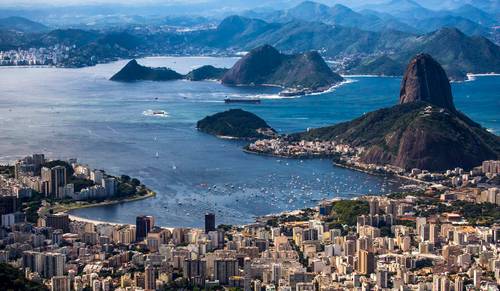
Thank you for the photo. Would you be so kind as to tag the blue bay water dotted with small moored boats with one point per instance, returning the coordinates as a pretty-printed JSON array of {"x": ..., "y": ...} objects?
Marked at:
[{"x": 79, "y": 113}]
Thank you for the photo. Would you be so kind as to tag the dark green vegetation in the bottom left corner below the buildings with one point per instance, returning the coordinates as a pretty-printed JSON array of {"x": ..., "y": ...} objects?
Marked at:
[{"x": 12, "y": 279}]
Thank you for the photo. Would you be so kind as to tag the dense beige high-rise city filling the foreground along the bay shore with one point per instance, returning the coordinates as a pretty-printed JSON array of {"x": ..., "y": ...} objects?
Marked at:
[{"x": 442, "y": 237}]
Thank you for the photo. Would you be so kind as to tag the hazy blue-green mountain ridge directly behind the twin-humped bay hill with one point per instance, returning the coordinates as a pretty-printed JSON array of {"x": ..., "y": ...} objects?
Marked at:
[{"x": 381, "y": 53}]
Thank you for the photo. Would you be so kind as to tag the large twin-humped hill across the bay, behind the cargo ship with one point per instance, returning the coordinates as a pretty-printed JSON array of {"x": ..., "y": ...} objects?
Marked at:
[{"x": 267, "y": 66}]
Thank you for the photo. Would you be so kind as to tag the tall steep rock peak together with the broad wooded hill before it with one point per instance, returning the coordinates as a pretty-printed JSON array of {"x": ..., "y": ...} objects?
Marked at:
[{"x": 424, "y": 131}]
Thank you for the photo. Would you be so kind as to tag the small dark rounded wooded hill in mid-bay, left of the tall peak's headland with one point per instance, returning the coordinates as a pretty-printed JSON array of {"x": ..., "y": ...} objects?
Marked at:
[{"x": 235, "y": 123}]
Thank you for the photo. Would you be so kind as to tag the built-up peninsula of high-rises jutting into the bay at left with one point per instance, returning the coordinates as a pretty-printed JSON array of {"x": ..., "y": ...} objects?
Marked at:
[{"x": 52, "y": 186}]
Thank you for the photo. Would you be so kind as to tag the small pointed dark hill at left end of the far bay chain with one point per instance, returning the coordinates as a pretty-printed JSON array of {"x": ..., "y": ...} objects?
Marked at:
[{"x": 135, "y": 72}]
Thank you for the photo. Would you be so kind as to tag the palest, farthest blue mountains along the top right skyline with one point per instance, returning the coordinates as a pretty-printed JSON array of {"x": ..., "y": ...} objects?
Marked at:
[{"x": 402, "y": 15}]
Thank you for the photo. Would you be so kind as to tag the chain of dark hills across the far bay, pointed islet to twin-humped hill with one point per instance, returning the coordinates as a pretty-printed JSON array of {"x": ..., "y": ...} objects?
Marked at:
[{"x": 298, "y": 74}]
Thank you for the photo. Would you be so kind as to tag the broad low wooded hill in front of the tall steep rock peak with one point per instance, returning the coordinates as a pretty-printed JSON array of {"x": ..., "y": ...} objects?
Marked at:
[{"x": 405, "y": 136}]
